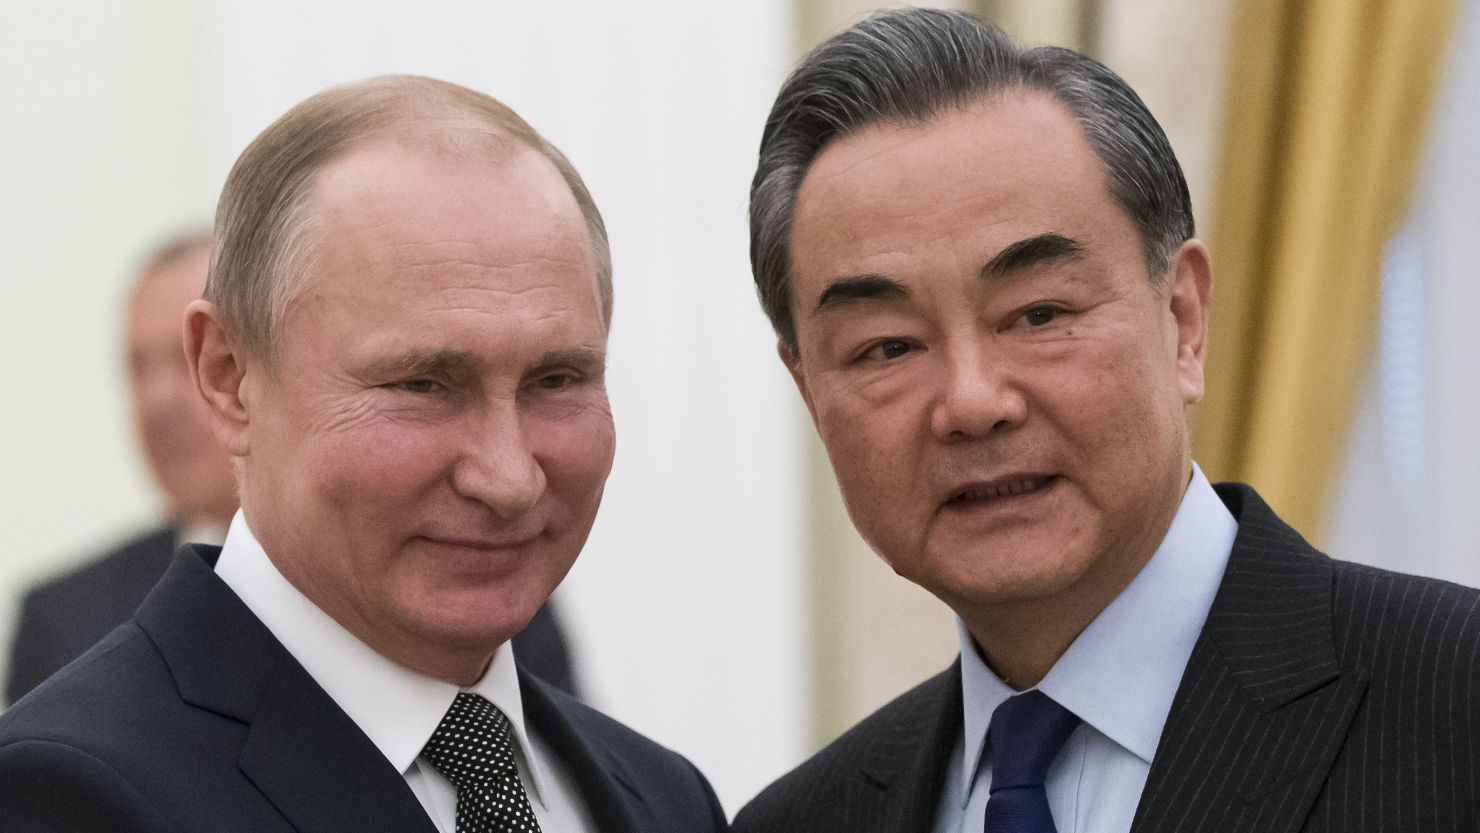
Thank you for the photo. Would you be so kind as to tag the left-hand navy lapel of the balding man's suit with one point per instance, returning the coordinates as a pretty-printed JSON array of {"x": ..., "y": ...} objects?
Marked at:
[{"x": 301, "y": 751}]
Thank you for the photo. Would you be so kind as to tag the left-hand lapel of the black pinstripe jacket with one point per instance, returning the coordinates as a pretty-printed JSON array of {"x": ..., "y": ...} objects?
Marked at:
[{"x": 902, "y": 775}]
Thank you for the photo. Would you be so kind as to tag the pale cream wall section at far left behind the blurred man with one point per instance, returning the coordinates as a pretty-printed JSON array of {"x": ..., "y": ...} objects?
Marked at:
[{"x": 103, "y": 153}]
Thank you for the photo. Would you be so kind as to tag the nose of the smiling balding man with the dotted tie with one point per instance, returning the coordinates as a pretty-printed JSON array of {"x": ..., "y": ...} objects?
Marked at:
[{"x": 498, "y": 467}]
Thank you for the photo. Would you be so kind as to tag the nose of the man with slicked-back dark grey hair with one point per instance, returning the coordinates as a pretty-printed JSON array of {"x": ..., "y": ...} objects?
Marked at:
[{"x": 980, "y": 396}]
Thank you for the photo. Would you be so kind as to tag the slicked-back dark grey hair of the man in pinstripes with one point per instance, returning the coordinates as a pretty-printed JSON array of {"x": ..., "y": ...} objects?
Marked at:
[{"x": 906, "y": 67}]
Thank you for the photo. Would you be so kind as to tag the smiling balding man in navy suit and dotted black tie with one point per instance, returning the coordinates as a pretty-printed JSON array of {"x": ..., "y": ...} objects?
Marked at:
[{"x": 402, "y": 347}]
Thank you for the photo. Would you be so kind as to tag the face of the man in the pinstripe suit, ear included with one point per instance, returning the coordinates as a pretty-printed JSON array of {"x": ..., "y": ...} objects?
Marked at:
[{"x": 1000, "y": 387}]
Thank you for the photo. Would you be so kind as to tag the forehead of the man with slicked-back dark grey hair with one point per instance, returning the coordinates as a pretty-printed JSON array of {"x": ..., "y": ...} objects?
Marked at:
[{"x": 1000, "y": 169}]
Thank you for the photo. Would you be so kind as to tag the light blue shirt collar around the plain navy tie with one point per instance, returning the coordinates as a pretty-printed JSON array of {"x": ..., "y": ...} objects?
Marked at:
[{"x": 1121, "y": 675}]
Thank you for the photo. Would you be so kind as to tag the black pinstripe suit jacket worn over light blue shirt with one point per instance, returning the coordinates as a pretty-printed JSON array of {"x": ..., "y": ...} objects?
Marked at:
[{"x": 1321, "y": 696}]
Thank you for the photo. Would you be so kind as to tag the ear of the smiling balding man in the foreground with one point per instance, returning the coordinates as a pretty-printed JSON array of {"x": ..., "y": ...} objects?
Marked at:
[{"x": 220, "y": 369}]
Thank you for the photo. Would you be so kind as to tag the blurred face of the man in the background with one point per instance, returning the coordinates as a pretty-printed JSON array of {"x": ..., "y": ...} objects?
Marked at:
[{"x": 169, "y": 416}]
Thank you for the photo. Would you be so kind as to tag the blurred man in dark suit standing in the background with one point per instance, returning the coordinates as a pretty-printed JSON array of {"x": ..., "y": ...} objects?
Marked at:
[{"x": 64, "y": 616}]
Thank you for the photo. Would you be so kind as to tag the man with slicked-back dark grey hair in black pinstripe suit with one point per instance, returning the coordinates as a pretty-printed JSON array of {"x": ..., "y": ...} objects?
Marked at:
[{"x": 982, "y": 270}]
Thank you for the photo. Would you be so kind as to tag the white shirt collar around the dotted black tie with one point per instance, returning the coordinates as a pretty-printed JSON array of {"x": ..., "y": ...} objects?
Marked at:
[{"x": 394, "y": 706}]
